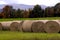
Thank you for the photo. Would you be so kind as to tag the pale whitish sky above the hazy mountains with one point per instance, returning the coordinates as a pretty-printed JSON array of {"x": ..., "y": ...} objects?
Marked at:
[{"x": 31, "y": 2}]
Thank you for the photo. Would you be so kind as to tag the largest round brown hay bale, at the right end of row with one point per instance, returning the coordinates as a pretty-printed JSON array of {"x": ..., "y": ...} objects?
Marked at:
[{"x": 52, "y": 26}]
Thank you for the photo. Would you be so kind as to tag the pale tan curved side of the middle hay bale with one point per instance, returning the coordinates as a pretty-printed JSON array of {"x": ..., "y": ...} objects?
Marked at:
[{"x": 26, "y": 26}]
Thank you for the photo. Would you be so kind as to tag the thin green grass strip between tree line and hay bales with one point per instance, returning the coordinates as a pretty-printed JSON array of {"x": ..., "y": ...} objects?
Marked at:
[{"x": 47, "y": 18}]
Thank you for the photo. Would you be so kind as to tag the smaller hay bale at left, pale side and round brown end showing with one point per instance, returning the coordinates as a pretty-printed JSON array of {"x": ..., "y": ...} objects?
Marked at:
[{"x": 12, "y": 25}]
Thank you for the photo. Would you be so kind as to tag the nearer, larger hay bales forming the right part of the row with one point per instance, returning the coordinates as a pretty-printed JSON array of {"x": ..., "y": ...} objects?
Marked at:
[{"x": 52, "y": 26}]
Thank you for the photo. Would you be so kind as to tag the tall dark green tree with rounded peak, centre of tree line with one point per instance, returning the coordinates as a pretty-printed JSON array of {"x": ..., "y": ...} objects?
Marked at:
[{"x": 36, "y": 12}]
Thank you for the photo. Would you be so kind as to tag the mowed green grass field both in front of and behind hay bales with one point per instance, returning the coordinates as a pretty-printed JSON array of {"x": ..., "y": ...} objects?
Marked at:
[{"x": 11, "y": 35}]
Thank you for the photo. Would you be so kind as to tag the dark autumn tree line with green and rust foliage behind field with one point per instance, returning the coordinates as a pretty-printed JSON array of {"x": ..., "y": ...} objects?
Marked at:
[{"x": 36, "y": 12}]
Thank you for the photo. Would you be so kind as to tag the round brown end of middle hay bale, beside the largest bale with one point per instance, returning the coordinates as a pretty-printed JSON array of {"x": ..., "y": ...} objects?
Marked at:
[{"x": 37, "y": 26}]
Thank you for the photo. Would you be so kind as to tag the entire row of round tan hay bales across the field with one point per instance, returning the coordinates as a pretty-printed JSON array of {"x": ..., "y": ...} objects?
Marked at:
[{"x": 52, "y": 26}]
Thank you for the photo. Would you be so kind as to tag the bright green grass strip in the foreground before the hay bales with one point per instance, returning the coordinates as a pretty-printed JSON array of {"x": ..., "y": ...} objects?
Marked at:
[{"x": 8, "y": 35}]
